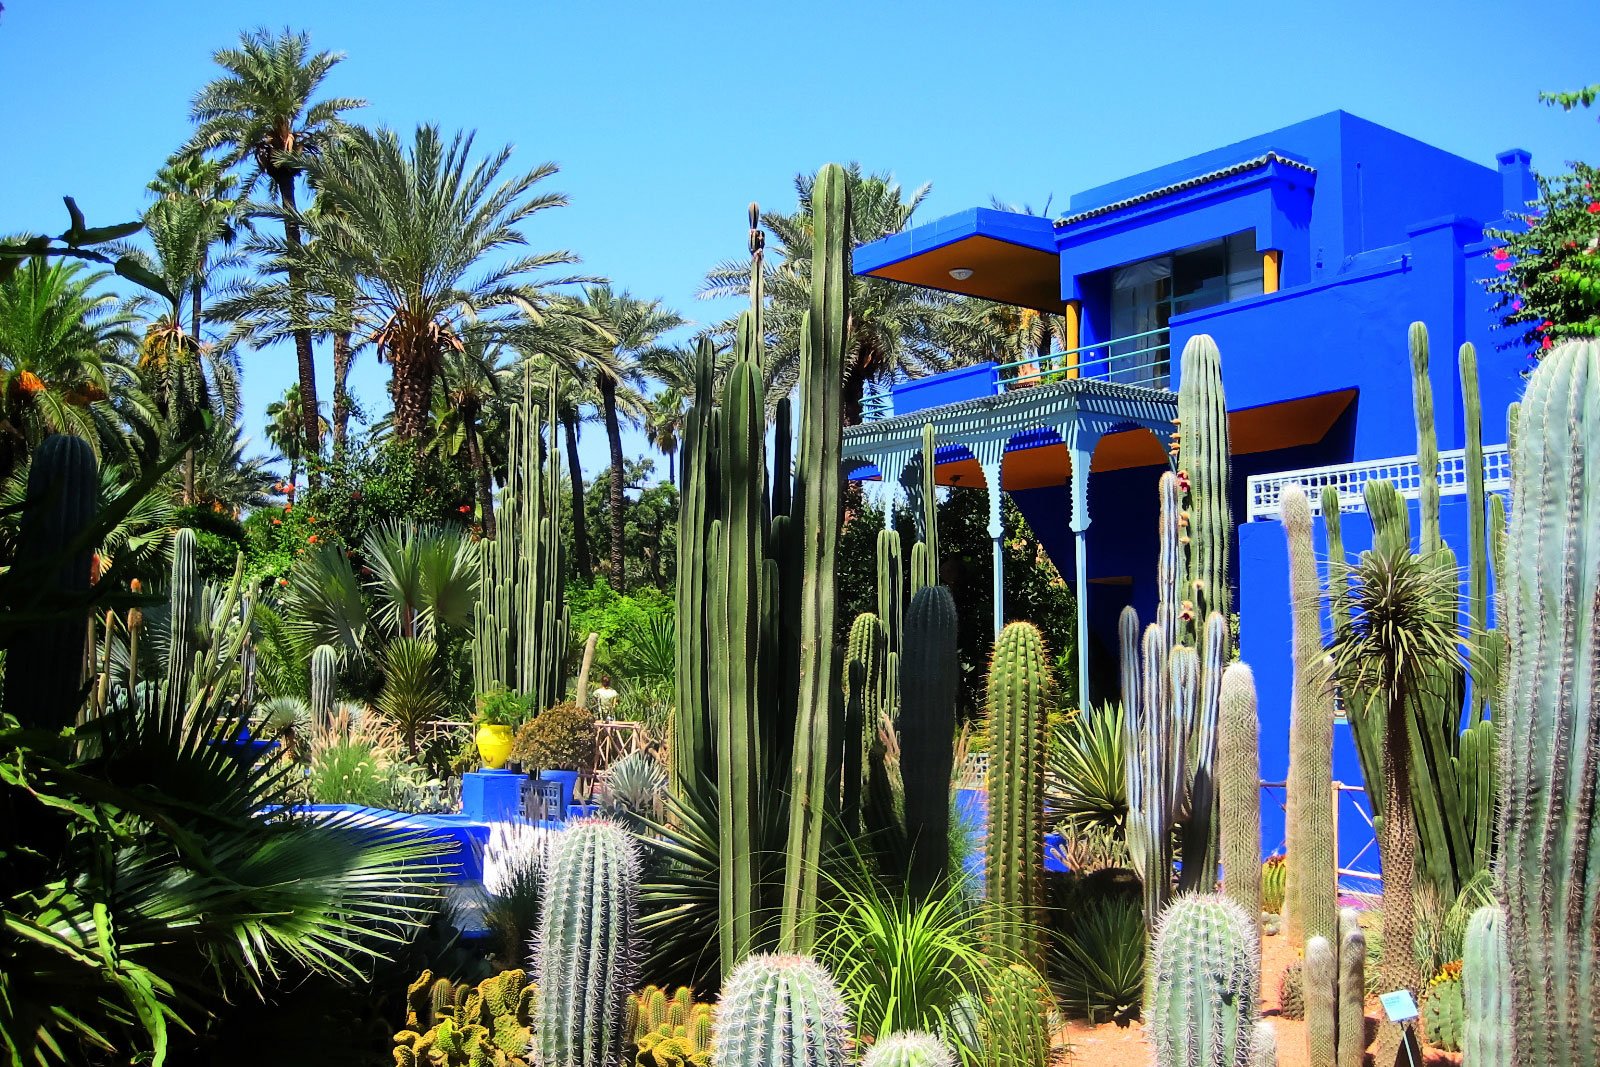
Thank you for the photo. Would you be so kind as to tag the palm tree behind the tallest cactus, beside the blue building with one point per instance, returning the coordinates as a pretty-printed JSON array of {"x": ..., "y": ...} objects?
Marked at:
[{"x": 894, "y": 329}]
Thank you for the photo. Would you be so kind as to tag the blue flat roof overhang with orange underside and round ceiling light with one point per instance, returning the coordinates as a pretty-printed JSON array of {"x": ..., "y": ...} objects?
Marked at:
[{"x": 1012, "y": 258}]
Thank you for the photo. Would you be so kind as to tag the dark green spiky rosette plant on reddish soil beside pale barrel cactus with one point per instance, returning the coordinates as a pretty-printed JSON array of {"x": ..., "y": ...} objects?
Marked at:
[{"x": 1098, "y": 961}]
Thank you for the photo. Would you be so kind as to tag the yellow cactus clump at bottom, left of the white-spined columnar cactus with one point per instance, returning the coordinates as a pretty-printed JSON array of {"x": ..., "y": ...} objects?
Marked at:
[{"x": 466, "y": 1026}]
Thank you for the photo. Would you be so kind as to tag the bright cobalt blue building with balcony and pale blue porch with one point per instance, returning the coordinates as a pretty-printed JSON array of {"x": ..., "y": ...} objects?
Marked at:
[{"x": 1305, "y": 254}]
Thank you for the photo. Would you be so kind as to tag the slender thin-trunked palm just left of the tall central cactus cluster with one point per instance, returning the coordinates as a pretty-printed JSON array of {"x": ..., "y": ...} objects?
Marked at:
[{"x": 636, "y": 327}]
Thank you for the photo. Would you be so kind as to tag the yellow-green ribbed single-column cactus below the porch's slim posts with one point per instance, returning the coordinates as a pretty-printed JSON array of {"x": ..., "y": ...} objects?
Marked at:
[{"x": 1017, "y": 700}]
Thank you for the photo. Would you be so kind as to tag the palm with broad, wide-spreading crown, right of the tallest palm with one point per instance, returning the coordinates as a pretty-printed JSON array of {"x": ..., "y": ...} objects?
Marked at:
[{"x": 410, "y": 242}]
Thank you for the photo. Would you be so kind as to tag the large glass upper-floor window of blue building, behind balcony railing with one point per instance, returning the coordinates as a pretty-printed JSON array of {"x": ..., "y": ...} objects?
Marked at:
[{"x": 1146, "y": 295}]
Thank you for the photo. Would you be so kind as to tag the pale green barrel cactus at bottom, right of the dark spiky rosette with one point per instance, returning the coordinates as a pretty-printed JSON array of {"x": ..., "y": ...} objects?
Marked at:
[{"x": 1206, "y": 985}]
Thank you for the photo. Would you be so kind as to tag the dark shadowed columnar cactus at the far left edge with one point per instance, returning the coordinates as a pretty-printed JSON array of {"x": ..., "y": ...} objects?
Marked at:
[{"x": 55, "y": 562}]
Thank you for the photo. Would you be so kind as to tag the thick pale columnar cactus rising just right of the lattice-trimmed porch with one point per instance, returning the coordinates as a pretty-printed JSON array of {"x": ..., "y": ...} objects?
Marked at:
[{"x": 1202, "y": 465}]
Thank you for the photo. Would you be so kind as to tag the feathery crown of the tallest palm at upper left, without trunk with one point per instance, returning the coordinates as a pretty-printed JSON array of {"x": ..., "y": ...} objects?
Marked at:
[{"x": 262, "y": 110}]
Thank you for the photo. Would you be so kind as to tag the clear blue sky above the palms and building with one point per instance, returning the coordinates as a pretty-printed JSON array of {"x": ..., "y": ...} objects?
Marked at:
[{"x": 670, "y": 118}]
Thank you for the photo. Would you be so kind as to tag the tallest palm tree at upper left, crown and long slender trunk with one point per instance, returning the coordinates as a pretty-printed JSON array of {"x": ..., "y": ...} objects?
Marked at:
[{"x": 263, "y": 111}]
